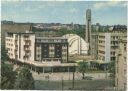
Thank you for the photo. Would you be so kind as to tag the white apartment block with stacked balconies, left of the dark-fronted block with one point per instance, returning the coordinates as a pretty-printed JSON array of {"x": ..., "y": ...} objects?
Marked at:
[{"x": 20, "y": 46}]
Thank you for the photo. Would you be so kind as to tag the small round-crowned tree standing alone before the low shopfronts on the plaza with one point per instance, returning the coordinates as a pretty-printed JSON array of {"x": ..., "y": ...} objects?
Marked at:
[{"x": 83, "y": 67}]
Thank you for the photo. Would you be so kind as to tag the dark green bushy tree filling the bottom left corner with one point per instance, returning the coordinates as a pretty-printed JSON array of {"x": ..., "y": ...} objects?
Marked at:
[{"x": 8, "y": 76}]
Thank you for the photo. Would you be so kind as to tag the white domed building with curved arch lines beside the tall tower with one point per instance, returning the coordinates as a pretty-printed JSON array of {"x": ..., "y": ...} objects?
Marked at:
[{"x": 77, "y": 45}]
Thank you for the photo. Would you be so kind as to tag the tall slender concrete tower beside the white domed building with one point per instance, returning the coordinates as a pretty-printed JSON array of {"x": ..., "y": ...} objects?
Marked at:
[{"x": 88, "y": 30}]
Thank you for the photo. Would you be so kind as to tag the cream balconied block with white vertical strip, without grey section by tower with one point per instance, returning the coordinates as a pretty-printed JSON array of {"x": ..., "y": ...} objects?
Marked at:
[{"x": 108, "y": 42}]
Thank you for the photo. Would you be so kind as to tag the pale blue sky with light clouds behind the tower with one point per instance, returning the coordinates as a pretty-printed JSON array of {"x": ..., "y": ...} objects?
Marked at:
[{"x": 103, "y": 12}]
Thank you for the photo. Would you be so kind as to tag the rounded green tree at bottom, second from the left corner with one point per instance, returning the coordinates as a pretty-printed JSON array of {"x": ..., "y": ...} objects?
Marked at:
[{"x": 24, "y": 80}]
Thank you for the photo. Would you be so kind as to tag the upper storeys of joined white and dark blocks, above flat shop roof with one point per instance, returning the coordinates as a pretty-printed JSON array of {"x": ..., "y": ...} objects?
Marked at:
[{"x": 28, "y": 47}]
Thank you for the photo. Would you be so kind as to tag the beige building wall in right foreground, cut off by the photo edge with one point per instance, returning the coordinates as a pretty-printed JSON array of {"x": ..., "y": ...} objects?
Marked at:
[{"x": 121, "y": 66}]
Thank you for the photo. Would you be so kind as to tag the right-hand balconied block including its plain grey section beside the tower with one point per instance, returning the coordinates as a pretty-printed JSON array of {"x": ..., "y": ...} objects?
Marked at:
[{"x": 104, "y": 44}]
